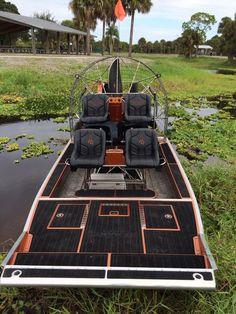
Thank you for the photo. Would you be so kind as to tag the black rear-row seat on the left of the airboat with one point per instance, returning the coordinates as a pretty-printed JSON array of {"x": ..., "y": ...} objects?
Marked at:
[{"x": 95, "y": 108}]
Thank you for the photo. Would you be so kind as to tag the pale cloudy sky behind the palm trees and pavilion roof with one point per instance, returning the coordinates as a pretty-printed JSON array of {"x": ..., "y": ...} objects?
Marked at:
[{"x": 163, "y": 22}]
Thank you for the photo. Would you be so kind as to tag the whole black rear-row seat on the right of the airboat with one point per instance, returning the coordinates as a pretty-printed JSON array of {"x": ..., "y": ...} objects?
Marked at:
[{"x": 138, "y": 108}]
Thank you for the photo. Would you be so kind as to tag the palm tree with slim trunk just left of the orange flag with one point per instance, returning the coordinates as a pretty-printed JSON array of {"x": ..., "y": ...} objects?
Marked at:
[{"x": 105, "y": 12}]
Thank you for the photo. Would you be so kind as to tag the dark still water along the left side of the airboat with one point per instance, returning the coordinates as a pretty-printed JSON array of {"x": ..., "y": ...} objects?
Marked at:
[{"x": 19, "y": 183}]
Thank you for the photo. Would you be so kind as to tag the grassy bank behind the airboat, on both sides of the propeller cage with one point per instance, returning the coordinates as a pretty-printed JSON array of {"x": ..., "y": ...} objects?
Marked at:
[{"x": 43, "y": 83}]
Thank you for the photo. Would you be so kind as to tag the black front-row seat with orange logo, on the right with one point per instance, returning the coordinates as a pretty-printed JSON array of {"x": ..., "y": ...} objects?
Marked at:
[{"x": 141, "y": 148}]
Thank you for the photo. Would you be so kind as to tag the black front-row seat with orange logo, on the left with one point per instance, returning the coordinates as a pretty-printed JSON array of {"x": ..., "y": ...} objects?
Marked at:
[{"x": 89, "y": 149}]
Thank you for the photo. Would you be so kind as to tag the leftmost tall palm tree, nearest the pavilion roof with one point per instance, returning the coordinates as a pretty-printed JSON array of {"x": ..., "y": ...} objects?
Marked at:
[{"x": 85, "y": 14}]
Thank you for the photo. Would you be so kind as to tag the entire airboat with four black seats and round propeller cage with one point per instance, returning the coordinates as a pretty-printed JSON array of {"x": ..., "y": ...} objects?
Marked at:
[{"x": 116, "y": 209}]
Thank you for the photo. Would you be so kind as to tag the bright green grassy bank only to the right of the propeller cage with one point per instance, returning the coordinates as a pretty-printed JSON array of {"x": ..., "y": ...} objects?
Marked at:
[{"x": 185, "y": 78}]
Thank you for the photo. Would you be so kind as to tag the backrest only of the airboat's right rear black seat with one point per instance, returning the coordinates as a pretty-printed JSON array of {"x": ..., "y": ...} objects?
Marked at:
[{"x": 137, "y": 105}]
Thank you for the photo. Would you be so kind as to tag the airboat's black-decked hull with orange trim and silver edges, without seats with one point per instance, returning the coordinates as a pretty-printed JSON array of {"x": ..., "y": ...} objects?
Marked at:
[{"x": 153, "y": 241}]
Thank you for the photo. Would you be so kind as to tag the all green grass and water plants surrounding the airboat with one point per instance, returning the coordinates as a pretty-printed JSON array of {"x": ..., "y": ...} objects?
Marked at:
[{"x": 26, "y": 90}]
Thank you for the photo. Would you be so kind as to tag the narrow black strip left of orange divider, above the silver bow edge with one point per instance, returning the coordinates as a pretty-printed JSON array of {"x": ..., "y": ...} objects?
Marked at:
[{"x": 61, "y": 259}]
